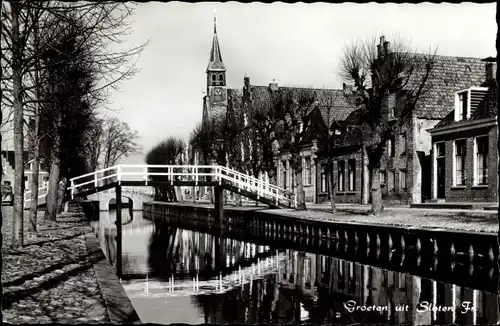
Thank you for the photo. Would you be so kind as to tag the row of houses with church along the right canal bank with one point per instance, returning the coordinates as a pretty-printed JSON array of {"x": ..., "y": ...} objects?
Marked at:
[{"x": 447, "y": 150}]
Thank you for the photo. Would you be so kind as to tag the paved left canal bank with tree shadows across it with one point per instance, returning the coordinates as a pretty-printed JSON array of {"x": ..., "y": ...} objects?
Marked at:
[{"x": 60, "y": 275}]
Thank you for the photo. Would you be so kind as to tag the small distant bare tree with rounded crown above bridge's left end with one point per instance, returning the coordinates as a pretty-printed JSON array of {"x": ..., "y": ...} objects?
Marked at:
[{"x": 118, "y": 141}]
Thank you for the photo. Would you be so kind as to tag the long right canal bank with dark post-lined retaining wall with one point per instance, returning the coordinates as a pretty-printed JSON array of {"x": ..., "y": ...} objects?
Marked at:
[{"x": 469, "y": 236}]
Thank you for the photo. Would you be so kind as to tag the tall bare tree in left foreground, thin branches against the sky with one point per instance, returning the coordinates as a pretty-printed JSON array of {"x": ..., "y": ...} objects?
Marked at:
[{"x": 99, "y": 25}]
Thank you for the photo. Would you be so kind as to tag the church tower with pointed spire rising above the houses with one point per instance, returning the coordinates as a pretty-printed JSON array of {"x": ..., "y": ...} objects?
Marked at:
[{"x": 215, "y": 101}]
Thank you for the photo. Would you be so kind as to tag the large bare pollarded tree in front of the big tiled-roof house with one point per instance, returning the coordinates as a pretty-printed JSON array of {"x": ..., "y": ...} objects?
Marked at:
[{"x": 380, "y": 74}]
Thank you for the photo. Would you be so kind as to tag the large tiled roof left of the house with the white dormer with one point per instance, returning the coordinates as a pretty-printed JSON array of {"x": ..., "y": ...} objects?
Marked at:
[{"x": 449, "y": 75}]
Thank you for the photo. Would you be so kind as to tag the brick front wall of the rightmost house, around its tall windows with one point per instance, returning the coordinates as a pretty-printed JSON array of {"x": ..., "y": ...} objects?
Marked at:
[{"x": 470, "y": 192}]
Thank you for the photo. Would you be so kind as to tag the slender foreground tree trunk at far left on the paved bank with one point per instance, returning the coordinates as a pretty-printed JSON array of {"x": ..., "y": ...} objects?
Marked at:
[{"x": 18, "y": 219}]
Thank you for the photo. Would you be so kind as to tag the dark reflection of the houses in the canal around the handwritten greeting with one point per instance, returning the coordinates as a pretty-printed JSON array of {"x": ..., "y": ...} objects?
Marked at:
[{"x": 314, "y": 288}]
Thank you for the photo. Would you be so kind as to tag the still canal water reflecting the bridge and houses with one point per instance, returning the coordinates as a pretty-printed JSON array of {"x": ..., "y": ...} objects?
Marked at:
[{"x": 174, "y": 275}]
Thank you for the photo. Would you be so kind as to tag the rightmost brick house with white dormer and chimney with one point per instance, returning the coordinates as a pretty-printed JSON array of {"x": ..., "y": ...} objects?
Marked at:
[{"x": 465, "y": 156}]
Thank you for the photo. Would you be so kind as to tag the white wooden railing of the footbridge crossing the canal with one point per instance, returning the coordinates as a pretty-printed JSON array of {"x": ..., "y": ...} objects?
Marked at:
[{"x": 172, "y": 173}]
